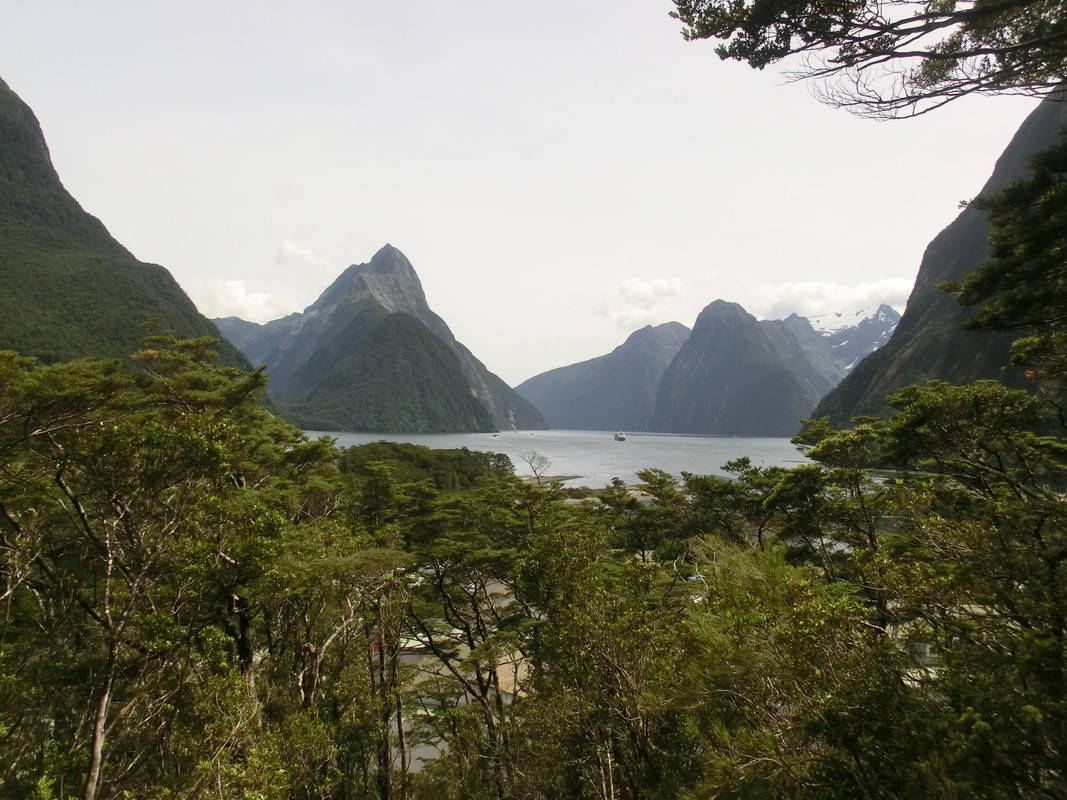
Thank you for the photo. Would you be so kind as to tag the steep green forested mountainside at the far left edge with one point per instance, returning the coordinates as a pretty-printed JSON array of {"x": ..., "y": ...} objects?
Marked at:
[{"x": 70, "y": 290}]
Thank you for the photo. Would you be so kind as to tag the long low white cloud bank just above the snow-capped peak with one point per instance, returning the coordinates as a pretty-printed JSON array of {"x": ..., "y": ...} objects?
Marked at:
[{"x": 818, "y": 297}]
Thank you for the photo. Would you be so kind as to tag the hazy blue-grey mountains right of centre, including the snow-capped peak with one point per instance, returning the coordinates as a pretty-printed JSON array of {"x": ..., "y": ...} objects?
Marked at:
[{"x": 730, "y": 376}]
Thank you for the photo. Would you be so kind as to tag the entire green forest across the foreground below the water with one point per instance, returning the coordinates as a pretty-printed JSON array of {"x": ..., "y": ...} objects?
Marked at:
[{"x": 199, "y": 602}]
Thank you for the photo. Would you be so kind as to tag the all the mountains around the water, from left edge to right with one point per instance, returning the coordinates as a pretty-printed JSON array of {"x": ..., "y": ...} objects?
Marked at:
[{"x": 370, "y": 355}]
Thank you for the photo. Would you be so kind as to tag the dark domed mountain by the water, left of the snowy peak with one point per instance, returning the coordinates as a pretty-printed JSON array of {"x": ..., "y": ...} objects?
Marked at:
[{"x": 738, "y": 377}]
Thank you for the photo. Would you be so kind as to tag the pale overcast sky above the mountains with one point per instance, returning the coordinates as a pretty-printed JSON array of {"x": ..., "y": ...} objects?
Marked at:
[{"x": 560, "y": 174}]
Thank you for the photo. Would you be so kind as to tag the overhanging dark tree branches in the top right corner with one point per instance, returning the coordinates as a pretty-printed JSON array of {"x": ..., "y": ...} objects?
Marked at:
[{"x": 900, "y": 58}]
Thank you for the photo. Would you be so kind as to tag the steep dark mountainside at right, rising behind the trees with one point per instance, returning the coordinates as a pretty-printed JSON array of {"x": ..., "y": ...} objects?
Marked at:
[{"x": 929, "y": 343}]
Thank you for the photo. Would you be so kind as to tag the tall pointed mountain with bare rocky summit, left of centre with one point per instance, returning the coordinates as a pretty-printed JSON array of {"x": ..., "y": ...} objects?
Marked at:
[{"x": 371, "y": 356}]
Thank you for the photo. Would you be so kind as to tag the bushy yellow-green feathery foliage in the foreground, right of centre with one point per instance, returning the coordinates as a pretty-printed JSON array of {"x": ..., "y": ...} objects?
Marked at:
[{"x": 797, "y": 699}]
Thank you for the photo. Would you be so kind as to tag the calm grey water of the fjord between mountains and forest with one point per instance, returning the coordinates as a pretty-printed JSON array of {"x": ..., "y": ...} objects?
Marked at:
[{"x": 596, "y": 457}]
